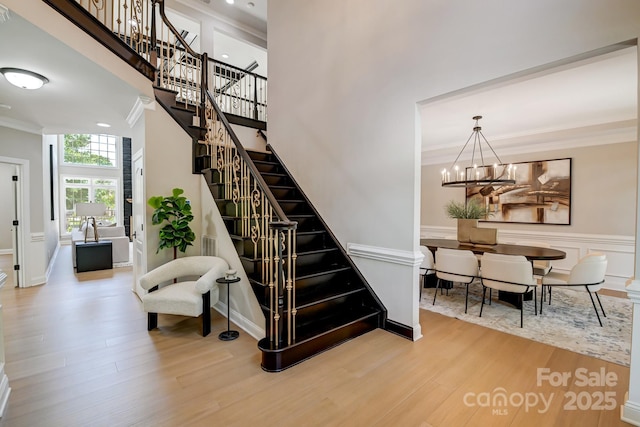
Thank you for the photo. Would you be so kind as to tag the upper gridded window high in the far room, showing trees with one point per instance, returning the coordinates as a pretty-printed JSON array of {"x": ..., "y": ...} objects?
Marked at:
[{"x": 94, "y": 150}]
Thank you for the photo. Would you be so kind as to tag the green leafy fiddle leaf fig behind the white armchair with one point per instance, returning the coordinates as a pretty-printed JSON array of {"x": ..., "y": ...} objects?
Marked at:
[{"x": 175, "y": 213}]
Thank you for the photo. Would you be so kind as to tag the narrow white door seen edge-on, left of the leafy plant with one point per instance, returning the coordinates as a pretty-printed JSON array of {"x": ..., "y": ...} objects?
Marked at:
[{"x": 139, "y": 249}]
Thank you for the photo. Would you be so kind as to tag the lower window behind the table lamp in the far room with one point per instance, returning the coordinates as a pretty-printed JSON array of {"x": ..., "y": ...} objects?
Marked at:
[{"x": 88, "y": 189}]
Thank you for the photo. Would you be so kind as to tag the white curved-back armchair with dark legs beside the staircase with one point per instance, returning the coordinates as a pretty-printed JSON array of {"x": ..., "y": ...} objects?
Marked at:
[{"x": 185, "y": 297}]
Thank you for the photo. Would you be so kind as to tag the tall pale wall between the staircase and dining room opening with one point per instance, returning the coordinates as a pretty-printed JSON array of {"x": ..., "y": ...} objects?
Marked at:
[{"x": 366, "y": 65}]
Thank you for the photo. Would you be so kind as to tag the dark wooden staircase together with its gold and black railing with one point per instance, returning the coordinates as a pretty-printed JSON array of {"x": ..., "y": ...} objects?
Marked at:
[{"x": 310, "y": 291}]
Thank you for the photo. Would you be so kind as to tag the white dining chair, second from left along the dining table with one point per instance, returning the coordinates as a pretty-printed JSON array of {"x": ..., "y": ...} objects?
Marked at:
[{"x": 456, "y": 266}]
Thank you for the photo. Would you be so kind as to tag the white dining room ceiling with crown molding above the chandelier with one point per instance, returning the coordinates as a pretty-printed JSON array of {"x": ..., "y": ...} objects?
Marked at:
[{"x": 583, "y": 102}]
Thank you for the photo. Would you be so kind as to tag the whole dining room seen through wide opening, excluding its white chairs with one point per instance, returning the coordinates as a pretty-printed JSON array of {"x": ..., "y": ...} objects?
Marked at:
[{"x": 549, "y": 158}]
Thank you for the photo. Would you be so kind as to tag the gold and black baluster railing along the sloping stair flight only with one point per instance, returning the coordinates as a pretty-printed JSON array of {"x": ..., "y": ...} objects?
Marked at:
[{"x": 261, "y": 219}]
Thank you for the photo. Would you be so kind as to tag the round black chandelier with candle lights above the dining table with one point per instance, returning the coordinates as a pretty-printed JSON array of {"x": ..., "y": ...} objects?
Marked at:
[{"x": 483, "y": 174}]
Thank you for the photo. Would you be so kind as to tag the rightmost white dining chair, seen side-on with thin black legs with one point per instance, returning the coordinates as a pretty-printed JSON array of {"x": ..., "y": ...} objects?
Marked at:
[{"x": 587, "y": 275}]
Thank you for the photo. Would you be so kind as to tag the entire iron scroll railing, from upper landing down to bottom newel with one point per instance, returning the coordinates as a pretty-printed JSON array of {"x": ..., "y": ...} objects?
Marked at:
[{"x": 144, "y": 26}]
